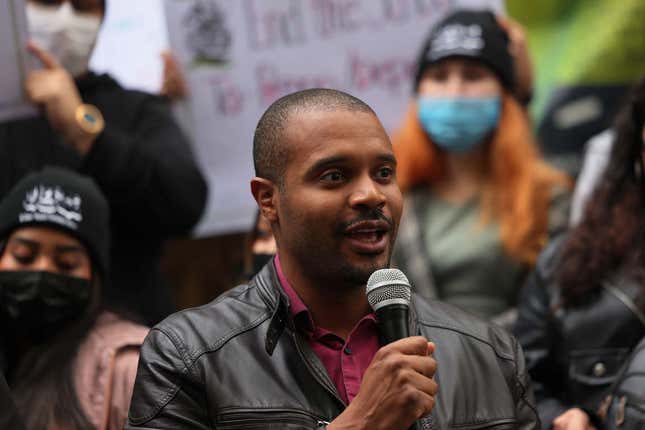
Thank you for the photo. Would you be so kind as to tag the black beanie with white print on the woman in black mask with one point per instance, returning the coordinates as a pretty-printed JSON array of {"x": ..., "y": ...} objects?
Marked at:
[{"x": 65, "y": 200}]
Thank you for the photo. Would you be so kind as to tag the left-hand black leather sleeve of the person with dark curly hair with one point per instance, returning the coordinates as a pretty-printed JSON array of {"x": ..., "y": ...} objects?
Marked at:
[{"x": 536, "y": 331}]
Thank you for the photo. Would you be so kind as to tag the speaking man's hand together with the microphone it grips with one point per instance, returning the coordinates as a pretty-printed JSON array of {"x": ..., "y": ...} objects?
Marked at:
[{"x": 397, "y": 388}]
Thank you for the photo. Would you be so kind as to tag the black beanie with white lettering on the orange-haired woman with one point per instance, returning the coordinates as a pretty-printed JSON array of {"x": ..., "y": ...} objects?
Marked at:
[{"x": 470, "y": 34}]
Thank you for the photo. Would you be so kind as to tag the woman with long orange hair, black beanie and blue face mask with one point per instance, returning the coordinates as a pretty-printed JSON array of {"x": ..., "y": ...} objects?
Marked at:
[{"x": 480, "y": 202}]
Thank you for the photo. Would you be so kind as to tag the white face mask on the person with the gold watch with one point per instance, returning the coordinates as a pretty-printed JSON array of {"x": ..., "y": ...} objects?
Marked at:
[{"x": 67, "y": 34}]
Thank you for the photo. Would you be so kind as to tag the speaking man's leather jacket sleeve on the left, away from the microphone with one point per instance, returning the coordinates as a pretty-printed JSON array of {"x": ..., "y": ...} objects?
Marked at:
[{"x": 167, "y": 394}]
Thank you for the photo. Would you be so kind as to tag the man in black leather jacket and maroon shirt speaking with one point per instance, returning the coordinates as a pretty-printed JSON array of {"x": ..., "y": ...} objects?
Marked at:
[{"x": 299, "y": 347}]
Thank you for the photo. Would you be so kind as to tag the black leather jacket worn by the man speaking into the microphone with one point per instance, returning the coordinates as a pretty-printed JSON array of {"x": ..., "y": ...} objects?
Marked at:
[{"x": 238, "y": 363}]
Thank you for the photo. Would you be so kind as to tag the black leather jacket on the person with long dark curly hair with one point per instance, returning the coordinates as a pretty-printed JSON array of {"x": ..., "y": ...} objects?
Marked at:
[{"x": 573, "y": 355}]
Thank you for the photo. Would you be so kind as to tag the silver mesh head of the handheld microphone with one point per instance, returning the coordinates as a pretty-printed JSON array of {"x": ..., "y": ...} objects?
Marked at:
[{"x": 387, "y": 287}]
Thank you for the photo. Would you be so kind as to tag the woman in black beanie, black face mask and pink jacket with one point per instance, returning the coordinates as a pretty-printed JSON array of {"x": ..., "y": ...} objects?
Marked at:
[{"x": 70, "y": 362}]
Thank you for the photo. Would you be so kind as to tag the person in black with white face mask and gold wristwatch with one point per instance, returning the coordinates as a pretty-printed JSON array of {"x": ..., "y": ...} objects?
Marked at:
[{"x": 127, "y": 141}]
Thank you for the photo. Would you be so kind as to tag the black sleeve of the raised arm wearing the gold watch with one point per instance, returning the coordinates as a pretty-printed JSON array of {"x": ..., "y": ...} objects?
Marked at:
[{"x": 147, "y": 171}]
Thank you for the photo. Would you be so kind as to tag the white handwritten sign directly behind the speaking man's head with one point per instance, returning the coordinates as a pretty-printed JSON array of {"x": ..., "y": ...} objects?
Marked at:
[{"x": 240, "y": 56}]
